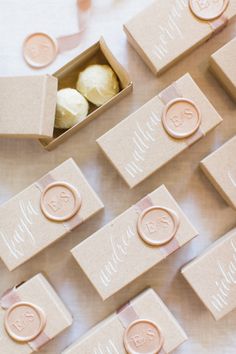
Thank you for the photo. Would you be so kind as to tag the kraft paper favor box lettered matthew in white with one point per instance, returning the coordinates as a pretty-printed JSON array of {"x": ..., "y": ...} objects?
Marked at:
[{"x": 145, "y": 144}]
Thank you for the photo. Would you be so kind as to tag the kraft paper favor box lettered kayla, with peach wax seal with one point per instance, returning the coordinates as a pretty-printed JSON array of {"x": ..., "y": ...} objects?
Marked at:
[{"x": 44, "y": 212}]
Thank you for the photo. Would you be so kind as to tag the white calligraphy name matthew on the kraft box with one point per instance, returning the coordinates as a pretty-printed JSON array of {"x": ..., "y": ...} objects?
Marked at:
[{"x": 142, "y": 140}]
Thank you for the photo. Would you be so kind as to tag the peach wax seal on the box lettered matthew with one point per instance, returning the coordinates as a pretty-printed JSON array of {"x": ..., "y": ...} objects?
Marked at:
[{"x": 181, "y": 118}]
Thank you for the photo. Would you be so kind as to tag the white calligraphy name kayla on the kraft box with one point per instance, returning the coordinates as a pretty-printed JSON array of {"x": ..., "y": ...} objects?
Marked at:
[{"x": 15, "y": 242}]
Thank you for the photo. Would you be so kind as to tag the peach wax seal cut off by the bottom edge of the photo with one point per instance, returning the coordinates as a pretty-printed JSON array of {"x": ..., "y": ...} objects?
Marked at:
[{"x": 143, "y": 337}]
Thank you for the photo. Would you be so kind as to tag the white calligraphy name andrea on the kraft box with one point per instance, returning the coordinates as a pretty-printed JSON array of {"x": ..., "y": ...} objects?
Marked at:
[{"x": 118, "y": 255}]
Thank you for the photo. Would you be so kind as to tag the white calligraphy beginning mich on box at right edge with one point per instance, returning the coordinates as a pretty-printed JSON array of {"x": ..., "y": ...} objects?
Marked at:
[{"x": 227, "y": 282}]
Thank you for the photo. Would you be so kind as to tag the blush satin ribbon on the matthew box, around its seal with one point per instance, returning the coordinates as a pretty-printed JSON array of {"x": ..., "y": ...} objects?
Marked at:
[{"x": 169, "y": 94}]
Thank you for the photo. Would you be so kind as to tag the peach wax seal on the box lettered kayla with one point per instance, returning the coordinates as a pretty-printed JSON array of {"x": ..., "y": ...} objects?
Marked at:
[{"x": 60, "y": 201}]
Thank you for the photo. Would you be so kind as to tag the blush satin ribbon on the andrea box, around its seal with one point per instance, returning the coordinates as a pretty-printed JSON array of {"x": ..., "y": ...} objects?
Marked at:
[{"x": 169, "y": 247}]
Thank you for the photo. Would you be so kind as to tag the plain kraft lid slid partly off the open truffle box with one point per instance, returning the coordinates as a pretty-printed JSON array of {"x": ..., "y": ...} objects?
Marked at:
[{"x": 27, "y": 106}]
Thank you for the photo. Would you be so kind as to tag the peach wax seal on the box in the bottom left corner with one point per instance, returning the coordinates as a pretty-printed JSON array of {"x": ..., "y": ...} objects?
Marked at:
[{"x": 24, "y": 321}]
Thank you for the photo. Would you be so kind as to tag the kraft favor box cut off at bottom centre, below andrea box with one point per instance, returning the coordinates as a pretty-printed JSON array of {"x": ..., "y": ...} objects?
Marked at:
[{"x": 109, "y": 335}]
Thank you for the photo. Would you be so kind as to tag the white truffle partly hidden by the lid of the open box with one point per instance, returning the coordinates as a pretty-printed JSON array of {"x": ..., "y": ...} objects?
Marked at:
[{"x": 71, "y": 108}]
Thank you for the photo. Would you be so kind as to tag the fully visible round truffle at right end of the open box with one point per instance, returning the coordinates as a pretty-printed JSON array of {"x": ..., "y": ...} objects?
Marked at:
[{"x": 98, "y": 83}]
